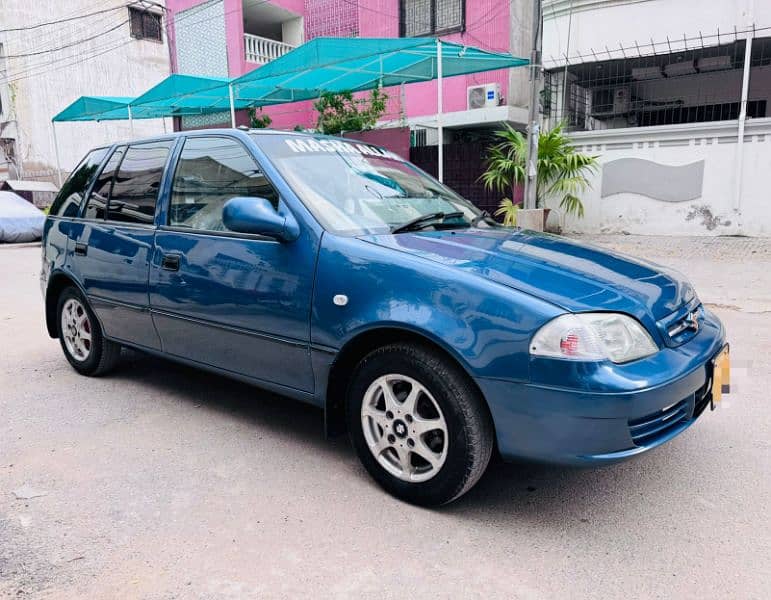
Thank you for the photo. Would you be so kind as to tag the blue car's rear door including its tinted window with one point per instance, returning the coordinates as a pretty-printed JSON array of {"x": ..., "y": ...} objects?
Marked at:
[{"x": 113, "y": 241}]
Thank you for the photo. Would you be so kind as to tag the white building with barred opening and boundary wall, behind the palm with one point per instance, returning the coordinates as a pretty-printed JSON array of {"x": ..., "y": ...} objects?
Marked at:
[{"x": 674, "y": 96}]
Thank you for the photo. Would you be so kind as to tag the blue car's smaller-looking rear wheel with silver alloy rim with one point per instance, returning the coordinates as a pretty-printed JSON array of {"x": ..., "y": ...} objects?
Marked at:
[{"x": 81, "y": 337}]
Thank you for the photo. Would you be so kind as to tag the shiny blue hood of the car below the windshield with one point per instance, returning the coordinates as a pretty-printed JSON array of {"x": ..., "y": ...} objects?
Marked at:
[{"x": 574, "y": 276}]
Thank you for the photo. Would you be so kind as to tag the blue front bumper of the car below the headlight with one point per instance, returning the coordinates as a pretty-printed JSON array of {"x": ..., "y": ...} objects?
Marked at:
[{"x": 611, "y": 412}]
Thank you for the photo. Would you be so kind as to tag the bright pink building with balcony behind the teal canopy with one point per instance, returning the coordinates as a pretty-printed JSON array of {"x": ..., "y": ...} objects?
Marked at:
[{"x": 233, "y": 37}]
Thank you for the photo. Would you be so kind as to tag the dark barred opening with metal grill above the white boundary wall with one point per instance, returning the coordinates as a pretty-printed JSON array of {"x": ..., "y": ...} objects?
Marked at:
[{"x": 693, "y": 85}]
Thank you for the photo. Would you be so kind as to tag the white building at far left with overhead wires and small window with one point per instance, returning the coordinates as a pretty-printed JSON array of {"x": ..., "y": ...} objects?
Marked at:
[{"x": 52, "y": 52}]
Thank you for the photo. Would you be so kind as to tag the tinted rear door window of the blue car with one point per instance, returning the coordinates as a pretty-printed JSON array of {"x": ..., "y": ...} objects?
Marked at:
[{"x": 137, "y": 183}]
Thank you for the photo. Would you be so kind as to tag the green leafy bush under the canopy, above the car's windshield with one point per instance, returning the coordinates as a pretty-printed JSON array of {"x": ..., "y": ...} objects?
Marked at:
[{"x": 342, "y": 112}]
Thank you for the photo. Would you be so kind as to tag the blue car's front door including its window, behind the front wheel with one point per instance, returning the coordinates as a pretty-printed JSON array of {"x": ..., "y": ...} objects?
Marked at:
[{"x": 237, "y": 302}]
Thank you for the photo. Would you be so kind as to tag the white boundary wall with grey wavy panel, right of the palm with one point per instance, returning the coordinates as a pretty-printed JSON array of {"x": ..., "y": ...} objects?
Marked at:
[{"x": 678, "y": 180}]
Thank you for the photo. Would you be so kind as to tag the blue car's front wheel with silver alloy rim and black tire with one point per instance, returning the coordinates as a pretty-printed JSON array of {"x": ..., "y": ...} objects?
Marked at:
[{"x": 419, "y": 425}]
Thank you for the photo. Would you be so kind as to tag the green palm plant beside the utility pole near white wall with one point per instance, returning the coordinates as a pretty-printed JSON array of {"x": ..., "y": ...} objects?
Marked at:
[{"x": 562, "y": 171}]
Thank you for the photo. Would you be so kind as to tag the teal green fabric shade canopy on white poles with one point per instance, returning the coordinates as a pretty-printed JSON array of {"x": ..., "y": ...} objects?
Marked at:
[{"x": 321, "y": 65}]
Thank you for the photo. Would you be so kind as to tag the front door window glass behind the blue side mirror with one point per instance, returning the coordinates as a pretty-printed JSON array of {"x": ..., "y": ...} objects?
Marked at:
[{"x": 211, "y": 171}]
